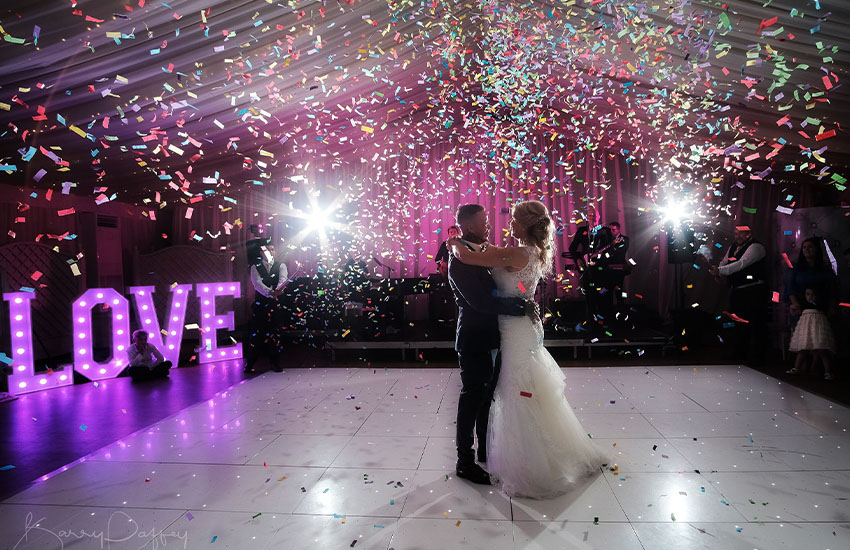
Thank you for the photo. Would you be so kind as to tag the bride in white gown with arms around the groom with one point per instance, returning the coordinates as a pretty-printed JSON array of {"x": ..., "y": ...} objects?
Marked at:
[{"x": 537, "y": 447}]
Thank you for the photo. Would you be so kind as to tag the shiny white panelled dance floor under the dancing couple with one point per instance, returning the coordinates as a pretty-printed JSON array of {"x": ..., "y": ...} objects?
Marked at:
[{"x": 709, "y": 457}]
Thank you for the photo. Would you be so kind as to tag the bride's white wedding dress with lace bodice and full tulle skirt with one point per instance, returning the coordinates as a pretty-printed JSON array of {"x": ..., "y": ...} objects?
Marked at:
[{"x": 536, "y": 446}]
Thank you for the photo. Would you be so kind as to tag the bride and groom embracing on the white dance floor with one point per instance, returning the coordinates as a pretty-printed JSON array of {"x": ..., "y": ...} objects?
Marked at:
[{"x": 513, "y": 391}]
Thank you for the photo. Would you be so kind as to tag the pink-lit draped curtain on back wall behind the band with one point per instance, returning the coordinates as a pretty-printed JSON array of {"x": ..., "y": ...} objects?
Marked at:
[{"x": 404, "y": 222}]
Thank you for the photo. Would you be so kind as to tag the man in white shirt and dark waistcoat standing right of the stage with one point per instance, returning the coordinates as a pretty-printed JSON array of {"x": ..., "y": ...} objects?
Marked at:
[{"x": 745, "y": 268}]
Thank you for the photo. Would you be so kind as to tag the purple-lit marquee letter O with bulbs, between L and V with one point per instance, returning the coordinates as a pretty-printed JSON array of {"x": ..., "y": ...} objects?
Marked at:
[{"x": 84, "y": 362}]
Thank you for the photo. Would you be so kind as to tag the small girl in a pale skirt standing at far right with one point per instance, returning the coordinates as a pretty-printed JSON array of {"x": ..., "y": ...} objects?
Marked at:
[{"x": 812, "y": 338}]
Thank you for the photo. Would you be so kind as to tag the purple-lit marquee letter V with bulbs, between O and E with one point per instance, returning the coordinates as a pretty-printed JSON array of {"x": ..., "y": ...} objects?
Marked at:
[{"x": 175, "y": 315}]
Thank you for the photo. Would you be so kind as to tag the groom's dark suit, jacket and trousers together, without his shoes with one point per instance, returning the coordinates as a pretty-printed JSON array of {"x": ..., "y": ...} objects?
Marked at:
[{"x": 477, "y": 345}]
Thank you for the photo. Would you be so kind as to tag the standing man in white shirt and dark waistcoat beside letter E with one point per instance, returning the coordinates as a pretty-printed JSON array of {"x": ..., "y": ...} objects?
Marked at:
[{"x": 268, "y": 278}]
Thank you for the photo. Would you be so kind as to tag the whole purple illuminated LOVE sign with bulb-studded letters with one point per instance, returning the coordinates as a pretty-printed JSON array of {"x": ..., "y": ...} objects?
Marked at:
[{"x": 24, "y": 378}]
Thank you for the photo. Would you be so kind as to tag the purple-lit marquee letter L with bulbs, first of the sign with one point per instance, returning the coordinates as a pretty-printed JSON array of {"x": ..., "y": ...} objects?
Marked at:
[{"x": 23, "y": 378}]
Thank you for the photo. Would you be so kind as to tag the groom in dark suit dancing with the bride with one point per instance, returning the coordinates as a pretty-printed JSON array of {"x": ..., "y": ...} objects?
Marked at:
[{"x": 477, "y": 342}]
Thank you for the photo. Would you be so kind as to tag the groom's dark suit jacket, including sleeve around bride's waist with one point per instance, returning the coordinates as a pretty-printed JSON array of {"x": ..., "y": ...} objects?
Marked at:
[{"x": 479, "y": 306}]
